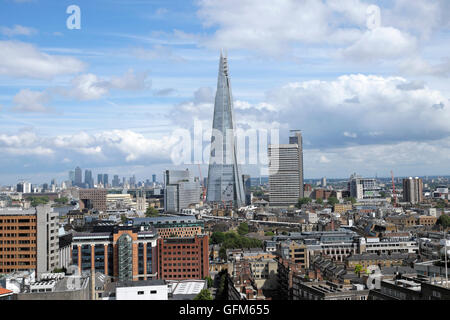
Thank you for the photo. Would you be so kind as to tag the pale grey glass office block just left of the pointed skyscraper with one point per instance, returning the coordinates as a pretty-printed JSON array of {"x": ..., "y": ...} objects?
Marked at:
[{"x": 181, "y": 190}]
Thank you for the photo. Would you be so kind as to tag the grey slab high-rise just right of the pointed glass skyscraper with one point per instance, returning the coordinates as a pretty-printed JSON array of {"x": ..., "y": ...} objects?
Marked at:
[{"x": 286, "y": 172}]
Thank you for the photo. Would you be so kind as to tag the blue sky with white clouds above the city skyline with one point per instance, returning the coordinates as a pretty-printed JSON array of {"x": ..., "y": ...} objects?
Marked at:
[{"x": 365, "y": 81}]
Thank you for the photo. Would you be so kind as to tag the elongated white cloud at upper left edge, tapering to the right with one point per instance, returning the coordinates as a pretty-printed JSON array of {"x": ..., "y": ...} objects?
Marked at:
[{"x": 21, "y": 59}]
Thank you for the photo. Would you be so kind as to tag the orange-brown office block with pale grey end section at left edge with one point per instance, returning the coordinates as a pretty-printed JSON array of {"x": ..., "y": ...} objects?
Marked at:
[{"x": 37, "y": 249}]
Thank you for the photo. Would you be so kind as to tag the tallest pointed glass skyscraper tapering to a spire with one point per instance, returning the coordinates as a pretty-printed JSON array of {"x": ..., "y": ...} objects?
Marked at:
[{"x": 224, "y": 174}]
